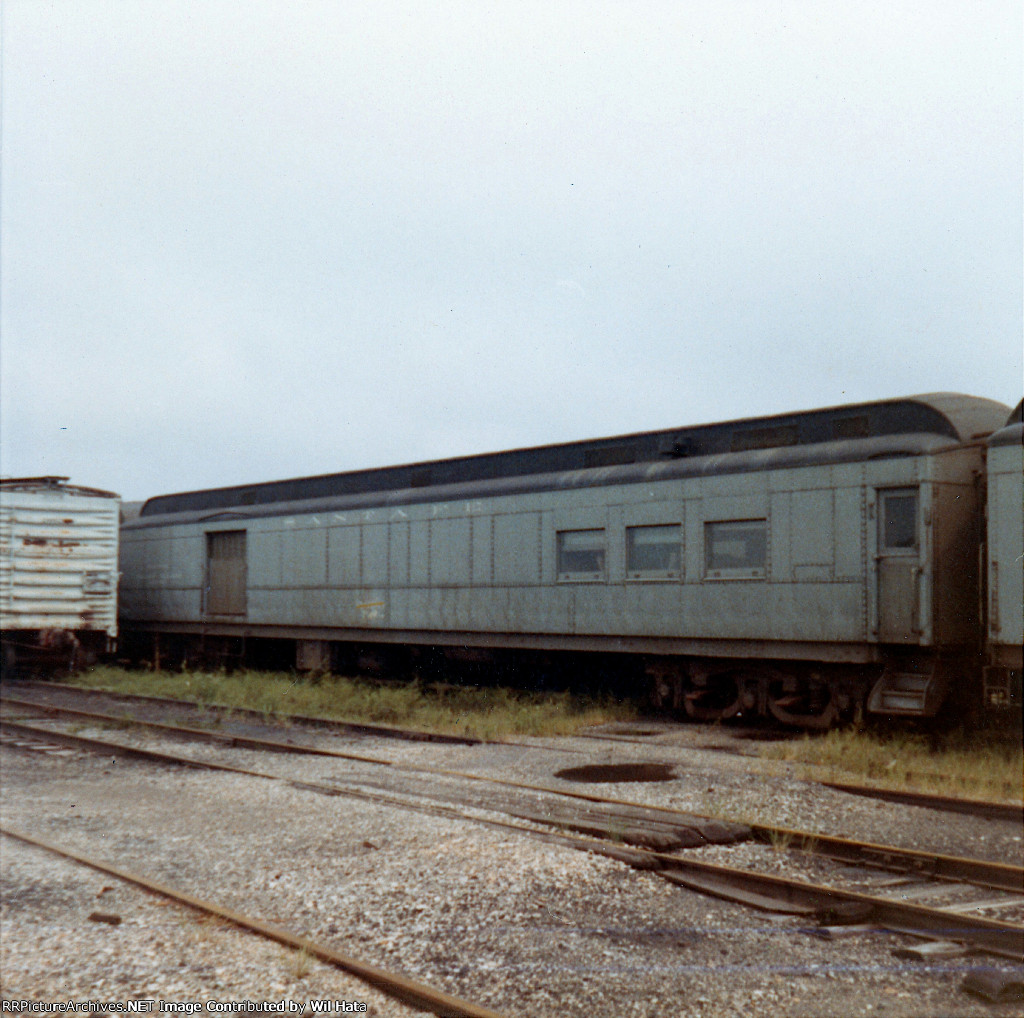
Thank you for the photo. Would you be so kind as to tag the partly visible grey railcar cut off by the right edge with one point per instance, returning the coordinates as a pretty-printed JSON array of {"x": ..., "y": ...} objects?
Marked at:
[{"x": 1005, "y": 546}]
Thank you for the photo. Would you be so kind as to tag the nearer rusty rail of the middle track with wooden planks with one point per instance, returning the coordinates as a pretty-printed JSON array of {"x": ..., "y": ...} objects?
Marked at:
[{"x": 743, "y": 886}]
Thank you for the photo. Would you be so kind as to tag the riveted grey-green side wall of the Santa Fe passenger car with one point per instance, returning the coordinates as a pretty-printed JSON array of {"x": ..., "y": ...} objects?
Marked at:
[{"x": 492, "y": 566}]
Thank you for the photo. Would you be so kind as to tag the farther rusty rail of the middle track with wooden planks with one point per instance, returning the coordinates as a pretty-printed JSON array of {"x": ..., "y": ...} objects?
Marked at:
[{"x": 937, "y": 866}]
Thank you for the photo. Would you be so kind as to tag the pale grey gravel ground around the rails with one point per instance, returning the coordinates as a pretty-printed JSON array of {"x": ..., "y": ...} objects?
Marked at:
[{"x": 502, "y": 920}]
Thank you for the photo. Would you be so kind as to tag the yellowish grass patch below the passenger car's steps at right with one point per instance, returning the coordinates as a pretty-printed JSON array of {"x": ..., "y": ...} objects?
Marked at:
[{"x": 978, "y": 766}]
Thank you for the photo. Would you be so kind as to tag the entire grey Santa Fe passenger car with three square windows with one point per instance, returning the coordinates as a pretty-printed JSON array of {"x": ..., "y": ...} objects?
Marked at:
[{"x": 795, "y": 566}]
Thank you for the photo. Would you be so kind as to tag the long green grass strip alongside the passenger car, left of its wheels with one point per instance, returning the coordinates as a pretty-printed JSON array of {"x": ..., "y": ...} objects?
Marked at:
[{"x": 487, "y": 712}]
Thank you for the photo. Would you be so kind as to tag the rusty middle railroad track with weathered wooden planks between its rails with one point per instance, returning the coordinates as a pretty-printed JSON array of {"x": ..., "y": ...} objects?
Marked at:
[{"x": 626, "y": 831}]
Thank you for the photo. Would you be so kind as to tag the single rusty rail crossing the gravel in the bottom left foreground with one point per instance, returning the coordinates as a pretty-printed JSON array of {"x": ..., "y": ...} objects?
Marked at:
[{"x": 400, "y": 988}]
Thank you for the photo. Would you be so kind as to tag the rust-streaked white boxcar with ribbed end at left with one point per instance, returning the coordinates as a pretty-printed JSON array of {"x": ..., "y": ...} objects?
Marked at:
[{"x": 59, "y": 571}]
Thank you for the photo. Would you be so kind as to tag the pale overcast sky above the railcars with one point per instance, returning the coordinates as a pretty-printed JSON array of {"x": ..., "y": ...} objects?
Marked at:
[{"x": 245, "y": 242}]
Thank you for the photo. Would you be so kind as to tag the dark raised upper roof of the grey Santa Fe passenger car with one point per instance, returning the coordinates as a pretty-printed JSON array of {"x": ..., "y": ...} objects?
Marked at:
[{"x": 951, "y": 415}]
